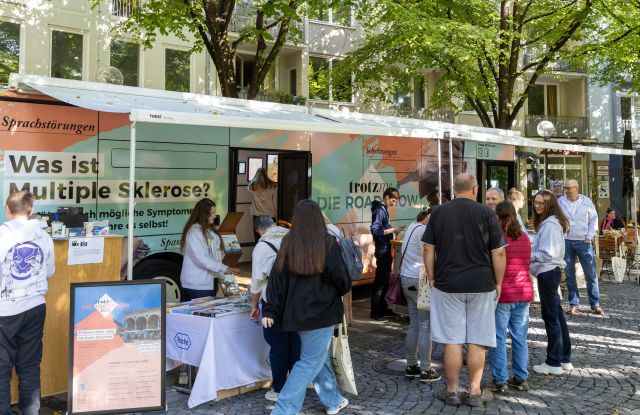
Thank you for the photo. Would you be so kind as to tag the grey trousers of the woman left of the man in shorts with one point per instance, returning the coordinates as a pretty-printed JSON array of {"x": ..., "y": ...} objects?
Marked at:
[{"x": 418, "y": 340}]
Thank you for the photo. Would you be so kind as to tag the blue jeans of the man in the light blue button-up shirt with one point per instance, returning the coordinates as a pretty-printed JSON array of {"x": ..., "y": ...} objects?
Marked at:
[{"x": 584, "y": 252}]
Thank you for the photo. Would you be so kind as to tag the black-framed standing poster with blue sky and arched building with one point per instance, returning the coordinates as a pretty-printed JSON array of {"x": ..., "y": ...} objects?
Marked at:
[{"x": 117, "y": 347}]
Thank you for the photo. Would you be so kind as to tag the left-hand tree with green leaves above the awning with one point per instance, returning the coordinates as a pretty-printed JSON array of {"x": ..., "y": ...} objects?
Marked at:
[{"x": 221, "y": 26}]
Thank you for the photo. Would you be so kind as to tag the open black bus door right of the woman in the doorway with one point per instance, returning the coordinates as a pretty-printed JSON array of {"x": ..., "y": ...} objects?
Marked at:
[{"x": 294, "y": 182}]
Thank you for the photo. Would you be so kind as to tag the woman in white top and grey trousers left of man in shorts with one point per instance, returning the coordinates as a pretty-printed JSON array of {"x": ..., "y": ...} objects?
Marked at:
[{"x": 418, "y": 340}]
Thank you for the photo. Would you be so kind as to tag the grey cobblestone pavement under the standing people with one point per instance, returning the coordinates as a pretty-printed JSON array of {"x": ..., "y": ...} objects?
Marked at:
[{"x": 606, "y": 378}]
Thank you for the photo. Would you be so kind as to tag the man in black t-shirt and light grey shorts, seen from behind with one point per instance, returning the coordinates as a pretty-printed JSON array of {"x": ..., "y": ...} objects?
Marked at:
[{"x": 465, "y": 262}]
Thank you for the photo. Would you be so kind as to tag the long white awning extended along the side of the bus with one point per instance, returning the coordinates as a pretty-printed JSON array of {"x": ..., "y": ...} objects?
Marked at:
[{"x": 159, "y": 106}]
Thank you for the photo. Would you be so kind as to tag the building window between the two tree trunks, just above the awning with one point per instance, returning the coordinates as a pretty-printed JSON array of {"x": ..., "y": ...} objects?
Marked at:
[{"x": 321, "y": 86}]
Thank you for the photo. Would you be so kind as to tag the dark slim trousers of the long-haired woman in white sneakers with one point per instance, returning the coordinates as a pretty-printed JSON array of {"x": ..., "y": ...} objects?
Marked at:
[{"x": 558, "y": 340}]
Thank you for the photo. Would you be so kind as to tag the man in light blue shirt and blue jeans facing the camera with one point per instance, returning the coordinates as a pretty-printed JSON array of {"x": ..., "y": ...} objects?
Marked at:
[{"x": 583, "y": 225}]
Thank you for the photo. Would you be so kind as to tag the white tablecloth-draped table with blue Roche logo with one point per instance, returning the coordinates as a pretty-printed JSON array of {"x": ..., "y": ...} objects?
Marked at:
[{"x": 230, "y": 352}]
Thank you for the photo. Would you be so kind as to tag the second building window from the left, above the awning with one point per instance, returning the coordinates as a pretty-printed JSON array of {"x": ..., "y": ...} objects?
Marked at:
[{"x": 66, "y": 55}]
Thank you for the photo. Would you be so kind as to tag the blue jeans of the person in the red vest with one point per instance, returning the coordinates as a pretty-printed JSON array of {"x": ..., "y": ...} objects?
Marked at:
[{"x": 515, "y": 318}]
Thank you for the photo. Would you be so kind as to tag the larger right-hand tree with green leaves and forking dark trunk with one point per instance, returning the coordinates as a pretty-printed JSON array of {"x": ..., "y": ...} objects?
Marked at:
[{"x": 489, "y": 53}]
